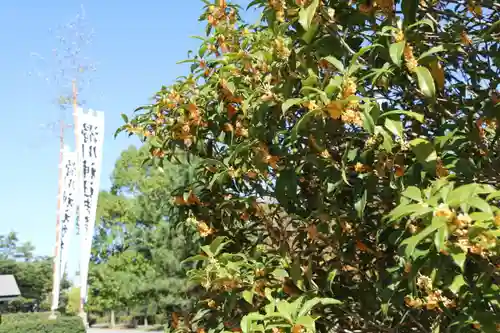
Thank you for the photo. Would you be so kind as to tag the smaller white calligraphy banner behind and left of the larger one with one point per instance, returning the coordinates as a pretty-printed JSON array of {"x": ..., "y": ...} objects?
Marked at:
[{"x": 68, "y": 204}]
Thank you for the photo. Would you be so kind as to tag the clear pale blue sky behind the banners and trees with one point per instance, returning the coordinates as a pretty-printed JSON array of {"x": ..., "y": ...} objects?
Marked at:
[{"x": 135, "y": 48}]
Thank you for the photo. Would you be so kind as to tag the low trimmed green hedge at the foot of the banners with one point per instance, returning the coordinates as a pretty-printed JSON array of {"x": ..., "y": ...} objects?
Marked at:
[{"x": 40, "y": 323}]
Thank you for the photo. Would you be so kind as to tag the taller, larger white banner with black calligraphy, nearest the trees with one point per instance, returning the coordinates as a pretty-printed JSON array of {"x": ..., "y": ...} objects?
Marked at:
[{"x": 89, "y": 138}]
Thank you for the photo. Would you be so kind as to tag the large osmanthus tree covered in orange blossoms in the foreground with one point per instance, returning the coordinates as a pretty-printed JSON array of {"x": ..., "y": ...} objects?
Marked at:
[{"x": 349, "y": 157}]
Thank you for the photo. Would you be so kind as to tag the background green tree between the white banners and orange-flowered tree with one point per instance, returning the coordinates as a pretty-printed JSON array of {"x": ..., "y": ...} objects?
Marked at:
[{"x": 139, "y": 243}]
